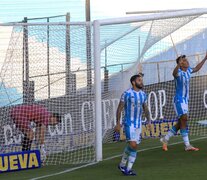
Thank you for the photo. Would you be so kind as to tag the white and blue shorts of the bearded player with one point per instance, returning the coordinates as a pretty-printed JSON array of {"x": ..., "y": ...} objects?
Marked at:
[{"x": 133, "y": 134}]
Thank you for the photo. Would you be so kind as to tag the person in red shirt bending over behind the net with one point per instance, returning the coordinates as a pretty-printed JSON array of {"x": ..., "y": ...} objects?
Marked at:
[{"x": 23, "y": 115}]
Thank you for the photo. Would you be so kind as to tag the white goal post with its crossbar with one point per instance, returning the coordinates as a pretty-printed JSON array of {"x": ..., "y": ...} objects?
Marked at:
[{"x": 97, "y": 57}]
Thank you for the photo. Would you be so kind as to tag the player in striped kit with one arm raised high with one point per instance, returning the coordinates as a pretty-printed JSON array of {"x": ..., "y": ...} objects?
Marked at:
[{"x": 182, "y": 74}]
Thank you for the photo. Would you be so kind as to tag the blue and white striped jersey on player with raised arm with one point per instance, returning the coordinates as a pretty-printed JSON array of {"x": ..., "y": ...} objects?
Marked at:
[{"x": 182, "y": 83}]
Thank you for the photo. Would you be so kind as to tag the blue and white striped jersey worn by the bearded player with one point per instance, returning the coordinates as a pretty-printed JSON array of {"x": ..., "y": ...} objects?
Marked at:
[{"x": 133, "y": 102}]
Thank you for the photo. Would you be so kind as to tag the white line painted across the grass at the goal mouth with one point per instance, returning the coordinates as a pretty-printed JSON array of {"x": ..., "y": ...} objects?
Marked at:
[{"x": 106, "y": 159}]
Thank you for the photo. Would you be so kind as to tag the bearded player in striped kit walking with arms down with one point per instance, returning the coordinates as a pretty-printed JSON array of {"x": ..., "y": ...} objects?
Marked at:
[{"x": 133, "y": 101}]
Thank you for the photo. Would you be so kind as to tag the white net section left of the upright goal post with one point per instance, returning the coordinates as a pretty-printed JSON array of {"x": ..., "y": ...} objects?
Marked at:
[{"x": 47, "y": 66}]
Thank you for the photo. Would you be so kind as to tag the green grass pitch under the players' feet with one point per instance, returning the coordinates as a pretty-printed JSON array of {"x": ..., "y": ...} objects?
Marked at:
[{"x": 152, "y": 164}]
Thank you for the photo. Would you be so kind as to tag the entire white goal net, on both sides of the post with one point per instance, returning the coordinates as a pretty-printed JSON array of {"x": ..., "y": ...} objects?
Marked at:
[{"x": 52, "y": 65}]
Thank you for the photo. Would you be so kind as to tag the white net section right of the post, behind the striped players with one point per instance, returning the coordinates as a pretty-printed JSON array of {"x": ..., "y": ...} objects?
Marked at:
[{"x": 151, "y": 47}]
